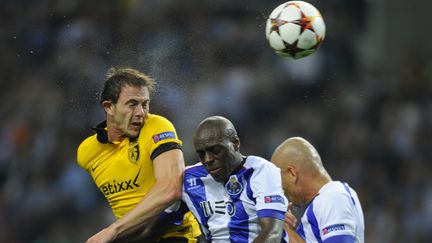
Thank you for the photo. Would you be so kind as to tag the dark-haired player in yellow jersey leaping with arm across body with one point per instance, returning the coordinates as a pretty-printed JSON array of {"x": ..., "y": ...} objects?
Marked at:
[{"x": 135, "y": 160}]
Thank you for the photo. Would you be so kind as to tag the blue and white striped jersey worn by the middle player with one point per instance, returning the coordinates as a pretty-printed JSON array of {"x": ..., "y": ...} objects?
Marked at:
[{"x": 231, "y": 212}]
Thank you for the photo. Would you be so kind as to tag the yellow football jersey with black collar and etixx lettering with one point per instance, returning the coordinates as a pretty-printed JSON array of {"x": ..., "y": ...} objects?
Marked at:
[{"x": 123, "y": 171}]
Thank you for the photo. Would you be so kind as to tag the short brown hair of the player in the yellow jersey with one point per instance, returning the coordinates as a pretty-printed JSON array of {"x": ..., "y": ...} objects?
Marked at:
[{"x": 116, "y": 78}]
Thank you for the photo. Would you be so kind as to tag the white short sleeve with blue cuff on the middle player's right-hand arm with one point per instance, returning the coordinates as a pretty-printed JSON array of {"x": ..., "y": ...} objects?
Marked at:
[{"x": 266, "y": 185}]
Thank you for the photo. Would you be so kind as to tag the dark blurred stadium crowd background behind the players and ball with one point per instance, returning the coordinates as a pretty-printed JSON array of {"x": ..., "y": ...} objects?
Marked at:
[{"x": 364, "y": 99}]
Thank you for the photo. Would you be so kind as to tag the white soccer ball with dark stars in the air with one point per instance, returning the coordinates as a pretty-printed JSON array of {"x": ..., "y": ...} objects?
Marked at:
[{"x": 295, "y": 29}]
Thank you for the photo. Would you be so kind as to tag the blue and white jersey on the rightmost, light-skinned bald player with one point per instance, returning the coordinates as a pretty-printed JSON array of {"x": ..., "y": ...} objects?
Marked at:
[{"x": 334, "y": 215}]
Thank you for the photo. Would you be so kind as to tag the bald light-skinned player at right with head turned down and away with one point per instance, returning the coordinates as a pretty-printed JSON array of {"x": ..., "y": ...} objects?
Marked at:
[{"x": 333, "y": 211}]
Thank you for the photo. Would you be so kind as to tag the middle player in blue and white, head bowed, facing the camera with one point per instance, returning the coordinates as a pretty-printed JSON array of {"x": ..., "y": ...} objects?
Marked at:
[{"x": 235, "y": 198}]
